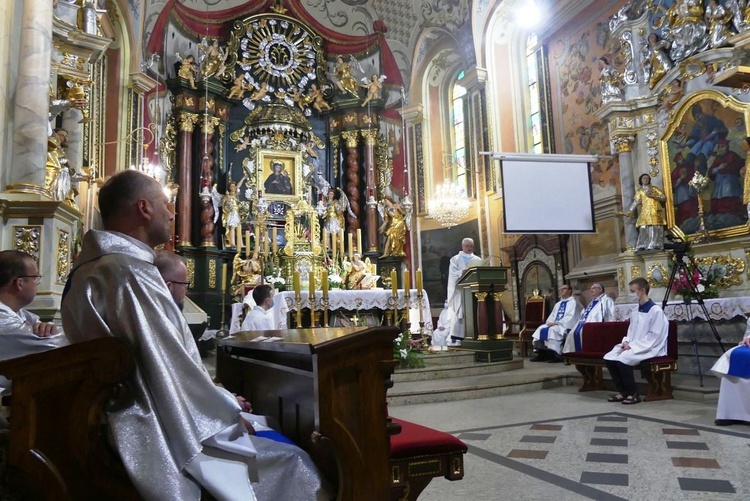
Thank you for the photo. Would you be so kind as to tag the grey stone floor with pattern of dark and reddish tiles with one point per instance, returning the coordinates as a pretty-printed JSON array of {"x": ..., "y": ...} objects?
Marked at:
[{"x": 563, "y": 445}]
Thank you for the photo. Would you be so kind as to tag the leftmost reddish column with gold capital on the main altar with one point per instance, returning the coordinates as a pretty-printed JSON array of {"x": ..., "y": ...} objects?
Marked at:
[{"x": 187, "y": 123}]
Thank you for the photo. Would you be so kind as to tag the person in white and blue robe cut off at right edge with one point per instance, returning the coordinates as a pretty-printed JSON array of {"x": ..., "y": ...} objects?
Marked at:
[{"x": 734, "y": 394}]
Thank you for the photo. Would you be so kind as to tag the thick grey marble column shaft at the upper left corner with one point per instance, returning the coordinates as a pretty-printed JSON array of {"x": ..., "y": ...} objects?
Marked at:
[{"x": 31, "y": 112}]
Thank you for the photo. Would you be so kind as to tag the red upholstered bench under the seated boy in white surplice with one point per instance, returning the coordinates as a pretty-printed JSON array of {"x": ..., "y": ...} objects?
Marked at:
[{"x": 600, "y": 337}]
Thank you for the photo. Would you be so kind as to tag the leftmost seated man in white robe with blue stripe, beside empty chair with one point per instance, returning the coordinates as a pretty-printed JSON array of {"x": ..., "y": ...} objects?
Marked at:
[{"x": 548, "y": 338}]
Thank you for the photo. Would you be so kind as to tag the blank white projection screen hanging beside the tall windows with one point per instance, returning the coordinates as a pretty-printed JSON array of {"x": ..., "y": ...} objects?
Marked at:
[{"x": 547, "y": 193}]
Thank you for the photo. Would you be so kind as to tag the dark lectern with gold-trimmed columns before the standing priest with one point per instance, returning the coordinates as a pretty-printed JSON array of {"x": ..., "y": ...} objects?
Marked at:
[{"x": 480, "y": 288}]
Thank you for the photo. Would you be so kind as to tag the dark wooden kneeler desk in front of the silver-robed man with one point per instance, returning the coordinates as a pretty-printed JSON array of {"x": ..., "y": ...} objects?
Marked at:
[{"x": 326, "y": 388}]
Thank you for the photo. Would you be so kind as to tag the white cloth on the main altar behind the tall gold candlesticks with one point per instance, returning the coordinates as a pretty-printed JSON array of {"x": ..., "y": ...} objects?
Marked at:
[{"x": 371, "y": 299}]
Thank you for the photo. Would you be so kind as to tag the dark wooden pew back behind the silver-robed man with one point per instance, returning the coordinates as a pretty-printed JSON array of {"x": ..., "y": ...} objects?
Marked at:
[{"x": 57, "y": 445}]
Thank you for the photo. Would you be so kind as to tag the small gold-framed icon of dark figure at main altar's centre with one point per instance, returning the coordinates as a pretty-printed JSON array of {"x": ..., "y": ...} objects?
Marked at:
[{"x": 279, "y": 175}]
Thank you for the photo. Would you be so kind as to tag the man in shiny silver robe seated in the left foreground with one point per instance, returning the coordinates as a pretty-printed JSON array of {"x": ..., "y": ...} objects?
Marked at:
[{"x": 181, "y": 431}]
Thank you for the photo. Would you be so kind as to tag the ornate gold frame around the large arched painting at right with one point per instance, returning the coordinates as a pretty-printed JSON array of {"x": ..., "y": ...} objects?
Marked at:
[{"x": 726, "y": 102}]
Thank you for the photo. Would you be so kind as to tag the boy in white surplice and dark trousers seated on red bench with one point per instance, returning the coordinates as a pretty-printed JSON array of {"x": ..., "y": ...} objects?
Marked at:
[{"x": 646, "y": 338}]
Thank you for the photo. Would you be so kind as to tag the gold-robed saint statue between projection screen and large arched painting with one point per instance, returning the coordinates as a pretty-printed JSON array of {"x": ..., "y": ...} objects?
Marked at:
[{"x": 650, "y": 223}]
